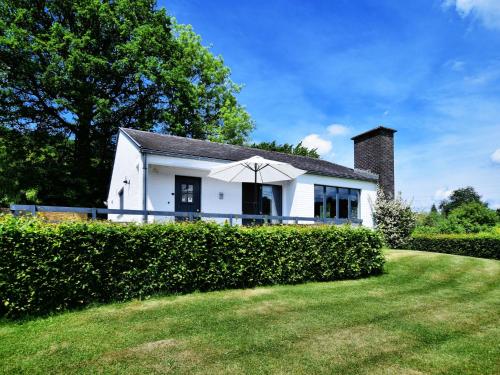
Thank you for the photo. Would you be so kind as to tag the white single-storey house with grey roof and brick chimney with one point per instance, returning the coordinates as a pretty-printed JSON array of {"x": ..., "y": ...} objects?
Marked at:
[{"x": 158, "y": 172}]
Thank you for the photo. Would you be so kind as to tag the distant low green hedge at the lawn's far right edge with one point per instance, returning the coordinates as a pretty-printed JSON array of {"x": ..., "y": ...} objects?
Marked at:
[{"x": 483, "y": 245}]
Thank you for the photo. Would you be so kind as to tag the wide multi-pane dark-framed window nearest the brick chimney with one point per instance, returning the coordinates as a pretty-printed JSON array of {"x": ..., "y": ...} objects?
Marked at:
[{"x": 336, "y": 203}]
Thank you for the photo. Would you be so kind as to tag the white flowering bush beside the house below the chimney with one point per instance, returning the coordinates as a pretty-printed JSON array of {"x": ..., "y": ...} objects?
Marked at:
[{"x": 394, "y": 218}]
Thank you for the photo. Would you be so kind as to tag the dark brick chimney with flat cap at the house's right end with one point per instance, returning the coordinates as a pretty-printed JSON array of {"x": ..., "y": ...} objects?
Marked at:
[{"x": 374, "y": 152}]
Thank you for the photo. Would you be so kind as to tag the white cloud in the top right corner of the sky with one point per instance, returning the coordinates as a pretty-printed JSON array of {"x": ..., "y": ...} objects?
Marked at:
[{"x": 488, "y": 11}]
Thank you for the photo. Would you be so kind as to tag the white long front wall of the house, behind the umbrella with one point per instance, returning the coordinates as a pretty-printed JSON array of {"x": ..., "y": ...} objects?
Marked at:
[{"x": 298, "y": 195}]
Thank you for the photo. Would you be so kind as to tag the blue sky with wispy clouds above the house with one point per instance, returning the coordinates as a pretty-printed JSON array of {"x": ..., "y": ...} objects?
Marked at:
[{"x": 323, "y": 71}]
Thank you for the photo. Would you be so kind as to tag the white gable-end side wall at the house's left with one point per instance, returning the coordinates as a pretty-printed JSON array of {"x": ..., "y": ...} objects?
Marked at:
[{"x": 127, "y": 166}]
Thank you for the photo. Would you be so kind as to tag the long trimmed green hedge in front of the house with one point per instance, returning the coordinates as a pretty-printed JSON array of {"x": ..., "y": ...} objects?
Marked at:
[{"x": 47, "y": 267}]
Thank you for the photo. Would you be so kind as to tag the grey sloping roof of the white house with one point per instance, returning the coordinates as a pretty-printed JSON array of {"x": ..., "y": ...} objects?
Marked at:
[{"x": 179, "y": 146}]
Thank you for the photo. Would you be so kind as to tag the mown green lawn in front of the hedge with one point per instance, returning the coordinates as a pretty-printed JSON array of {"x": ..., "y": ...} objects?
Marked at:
[{"x": 429, "y": 313}]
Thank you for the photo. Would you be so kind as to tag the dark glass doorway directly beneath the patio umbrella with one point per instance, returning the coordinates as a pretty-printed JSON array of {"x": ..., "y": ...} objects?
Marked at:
[{"x": 269, "y": 201}]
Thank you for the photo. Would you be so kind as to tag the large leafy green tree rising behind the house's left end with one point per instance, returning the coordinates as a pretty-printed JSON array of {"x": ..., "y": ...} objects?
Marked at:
[{"x": 83, "y": 68}]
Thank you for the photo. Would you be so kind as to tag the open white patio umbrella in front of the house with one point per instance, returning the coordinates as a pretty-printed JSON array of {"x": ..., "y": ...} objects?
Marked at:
[{"x": 257, "y": 170}]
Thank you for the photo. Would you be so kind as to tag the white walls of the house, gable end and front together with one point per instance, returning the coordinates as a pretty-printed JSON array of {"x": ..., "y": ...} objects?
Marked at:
[{"x": 298, "y": 195}]
